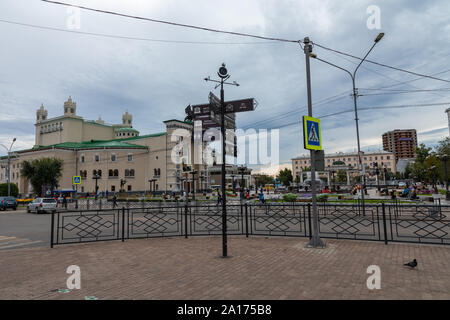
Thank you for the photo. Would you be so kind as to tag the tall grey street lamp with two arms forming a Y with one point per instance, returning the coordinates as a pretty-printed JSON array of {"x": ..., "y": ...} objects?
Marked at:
[{"x": 355, "y": 95}]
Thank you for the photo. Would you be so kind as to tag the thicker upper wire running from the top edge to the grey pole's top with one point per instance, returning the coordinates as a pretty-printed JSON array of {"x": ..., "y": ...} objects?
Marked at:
[{"x": 170, "y": 23}]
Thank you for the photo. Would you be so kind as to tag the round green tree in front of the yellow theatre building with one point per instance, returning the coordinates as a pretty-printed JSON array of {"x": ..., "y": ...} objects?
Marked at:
[{"x": 42, "y": 172}]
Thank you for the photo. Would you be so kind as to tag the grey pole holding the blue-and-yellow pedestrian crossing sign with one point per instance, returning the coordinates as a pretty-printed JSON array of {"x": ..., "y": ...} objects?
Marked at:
[{"x": 315, "y": 241}]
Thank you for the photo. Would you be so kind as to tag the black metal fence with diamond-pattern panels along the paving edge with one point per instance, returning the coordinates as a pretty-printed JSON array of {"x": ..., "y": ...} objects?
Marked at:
[{"x": 380, "y": 222}]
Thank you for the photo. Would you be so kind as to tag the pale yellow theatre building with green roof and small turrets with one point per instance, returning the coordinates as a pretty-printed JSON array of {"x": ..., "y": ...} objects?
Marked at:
[{"x": 114, "y": 152}]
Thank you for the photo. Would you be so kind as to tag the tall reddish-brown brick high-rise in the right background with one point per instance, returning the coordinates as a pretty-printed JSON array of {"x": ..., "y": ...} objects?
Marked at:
[{"x": 402, "y": 143}]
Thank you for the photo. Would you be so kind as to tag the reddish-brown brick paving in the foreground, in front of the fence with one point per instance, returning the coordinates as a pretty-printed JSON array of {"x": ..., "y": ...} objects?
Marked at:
[{"x": 260, "y": 268}]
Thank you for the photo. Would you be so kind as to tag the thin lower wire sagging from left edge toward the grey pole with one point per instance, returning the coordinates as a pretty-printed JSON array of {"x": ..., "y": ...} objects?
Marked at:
[{"x": 127, "y": 37}]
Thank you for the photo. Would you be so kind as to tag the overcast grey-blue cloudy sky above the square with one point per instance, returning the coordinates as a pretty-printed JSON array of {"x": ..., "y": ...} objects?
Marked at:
[{"x": 155, "y": 80}]
